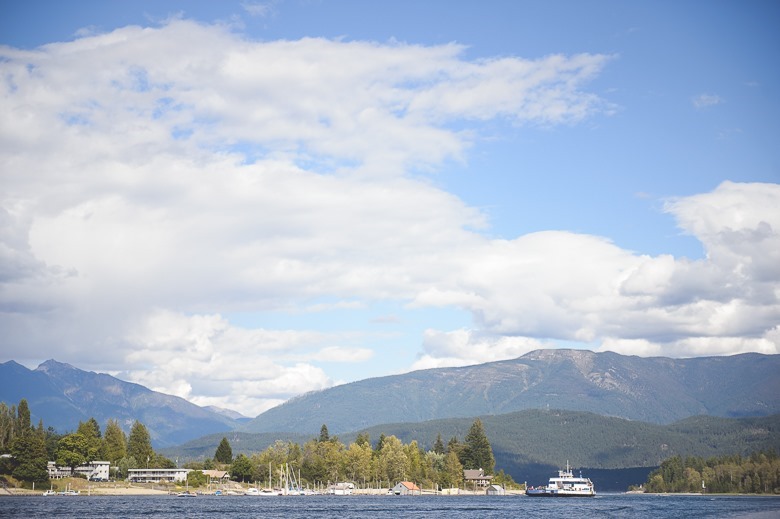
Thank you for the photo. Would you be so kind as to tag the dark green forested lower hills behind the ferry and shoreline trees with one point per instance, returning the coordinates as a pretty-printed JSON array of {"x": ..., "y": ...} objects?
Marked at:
[{"x": 534, "y": 443}]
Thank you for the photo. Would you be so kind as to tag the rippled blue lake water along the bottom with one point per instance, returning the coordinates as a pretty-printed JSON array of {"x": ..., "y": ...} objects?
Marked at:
[{"x": 210, "y": 507}]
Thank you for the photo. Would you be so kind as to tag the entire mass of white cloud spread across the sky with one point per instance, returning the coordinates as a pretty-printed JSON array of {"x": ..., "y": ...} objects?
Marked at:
[{"x": 156, "y": 180}]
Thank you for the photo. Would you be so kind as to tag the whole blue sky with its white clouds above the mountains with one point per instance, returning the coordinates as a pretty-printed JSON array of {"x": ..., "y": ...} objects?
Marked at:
[{"x": 240, "y": 202}]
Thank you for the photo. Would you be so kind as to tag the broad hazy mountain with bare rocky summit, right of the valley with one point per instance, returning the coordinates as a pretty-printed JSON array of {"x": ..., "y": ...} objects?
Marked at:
[{"x": 657, "y": 390}]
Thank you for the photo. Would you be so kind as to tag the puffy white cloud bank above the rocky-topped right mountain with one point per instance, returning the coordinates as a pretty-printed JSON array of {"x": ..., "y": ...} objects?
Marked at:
[{"x": 584, "y": 288}]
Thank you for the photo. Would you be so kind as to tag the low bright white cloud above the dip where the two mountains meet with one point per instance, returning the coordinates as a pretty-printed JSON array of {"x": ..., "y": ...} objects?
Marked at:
[{"x": 207, "y": 360}]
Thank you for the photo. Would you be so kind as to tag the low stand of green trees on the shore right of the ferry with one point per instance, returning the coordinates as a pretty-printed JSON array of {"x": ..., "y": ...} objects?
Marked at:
[{"x": 758, "y": 473}]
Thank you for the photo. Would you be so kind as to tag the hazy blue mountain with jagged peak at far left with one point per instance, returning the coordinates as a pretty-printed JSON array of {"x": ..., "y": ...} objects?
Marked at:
[{"x": 63, "y": 395}]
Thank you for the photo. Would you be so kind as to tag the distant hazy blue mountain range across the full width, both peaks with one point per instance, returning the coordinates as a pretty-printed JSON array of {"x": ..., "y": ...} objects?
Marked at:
[{"x": 654, "y": 390}]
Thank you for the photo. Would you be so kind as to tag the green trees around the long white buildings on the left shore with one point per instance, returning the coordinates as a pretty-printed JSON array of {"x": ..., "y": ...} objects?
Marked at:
[{"x": 31, "y": 448}]
